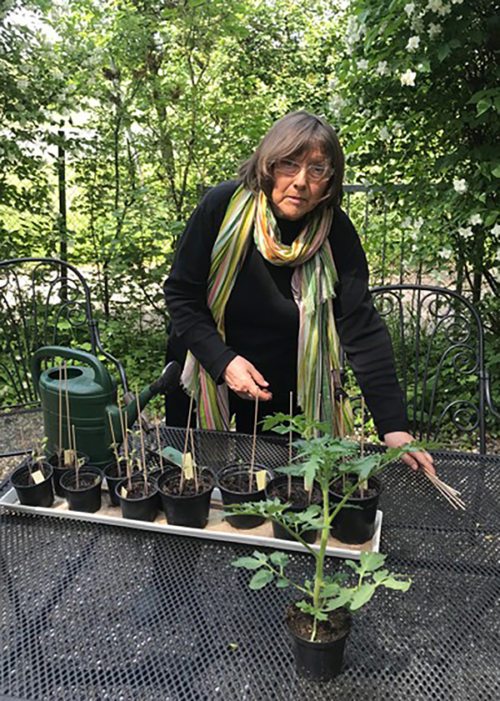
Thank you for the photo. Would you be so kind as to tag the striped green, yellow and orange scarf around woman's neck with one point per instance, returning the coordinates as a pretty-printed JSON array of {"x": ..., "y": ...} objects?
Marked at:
[{"x": 313, "y": 283}]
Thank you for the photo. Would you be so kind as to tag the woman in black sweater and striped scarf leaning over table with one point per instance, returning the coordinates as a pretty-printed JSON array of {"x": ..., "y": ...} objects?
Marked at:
[{"x": 269, "y": 276}]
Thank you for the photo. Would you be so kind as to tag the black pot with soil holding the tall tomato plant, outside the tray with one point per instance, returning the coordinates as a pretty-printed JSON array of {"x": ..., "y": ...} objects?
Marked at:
[{"x": 321, "y": 659}]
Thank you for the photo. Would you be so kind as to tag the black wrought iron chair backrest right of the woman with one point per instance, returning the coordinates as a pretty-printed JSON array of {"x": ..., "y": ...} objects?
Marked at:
[{"x": 438, "y": 342}]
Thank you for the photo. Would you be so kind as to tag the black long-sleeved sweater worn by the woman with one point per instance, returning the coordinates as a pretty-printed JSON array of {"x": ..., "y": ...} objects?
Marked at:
[{"x": 261, "y": 318}]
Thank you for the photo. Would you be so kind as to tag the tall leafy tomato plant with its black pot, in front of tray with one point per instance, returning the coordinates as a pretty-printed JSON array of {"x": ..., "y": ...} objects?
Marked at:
[{"x": 320, "y": 620}]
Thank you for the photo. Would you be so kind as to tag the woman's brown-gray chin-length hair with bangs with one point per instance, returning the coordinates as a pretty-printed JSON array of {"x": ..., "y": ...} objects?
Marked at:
[{"x": 293, "y": 136}]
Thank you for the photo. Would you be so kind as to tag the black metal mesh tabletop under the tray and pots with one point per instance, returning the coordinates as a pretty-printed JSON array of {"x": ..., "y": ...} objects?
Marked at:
[{"x": 91, "y": 612}]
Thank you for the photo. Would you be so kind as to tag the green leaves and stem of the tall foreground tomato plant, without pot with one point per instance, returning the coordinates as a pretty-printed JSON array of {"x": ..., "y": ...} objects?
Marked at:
[{"x": 319, "y": 458}]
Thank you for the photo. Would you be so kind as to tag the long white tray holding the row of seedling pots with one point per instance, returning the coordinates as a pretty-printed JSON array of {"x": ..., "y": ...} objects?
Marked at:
[{"x": 217, "y": 528}]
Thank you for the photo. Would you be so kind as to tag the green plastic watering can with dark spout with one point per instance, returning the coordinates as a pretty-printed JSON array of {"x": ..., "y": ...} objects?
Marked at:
[{"x": 89, "y": 392}]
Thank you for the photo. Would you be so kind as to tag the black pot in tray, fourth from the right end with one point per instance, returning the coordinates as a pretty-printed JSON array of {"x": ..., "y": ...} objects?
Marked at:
[{"x": 186, "y": 509}]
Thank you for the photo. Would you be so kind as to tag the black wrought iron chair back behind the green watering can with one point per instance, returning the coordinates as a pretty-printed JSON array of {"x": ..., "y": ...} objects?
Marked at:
[{"x": 43, "y": 301}]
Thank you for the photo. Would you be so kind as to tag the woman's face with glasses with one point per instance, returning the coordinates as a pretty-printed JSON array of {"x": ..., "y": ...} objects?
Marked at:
[{"x": 294, "y": 195}]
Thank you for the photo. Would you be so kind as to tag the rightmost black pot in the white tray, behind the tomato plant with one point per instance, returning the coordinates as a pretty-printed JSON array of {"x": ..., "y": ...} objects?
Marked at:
[{"x": 356, "y": 525}]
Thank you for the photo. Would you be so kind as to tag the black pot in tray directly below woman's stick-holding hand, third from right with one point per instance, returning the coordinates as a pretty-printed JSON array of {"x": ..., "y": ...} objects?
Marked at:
[{"x": 228, "y": 480}]
